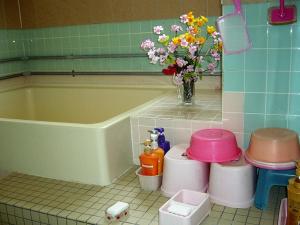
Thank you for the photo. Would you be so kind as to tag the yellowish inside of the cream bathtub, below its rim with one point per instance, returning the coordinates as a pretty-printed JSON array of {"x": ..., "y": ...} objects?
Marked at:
[{"x": 85, "y": 105}]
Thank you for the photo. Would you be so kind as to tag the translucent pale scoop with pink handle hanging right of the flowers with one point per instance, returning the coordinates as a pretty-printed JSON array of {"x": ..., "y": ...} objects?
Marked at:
[{"x": 233, "y": 30}]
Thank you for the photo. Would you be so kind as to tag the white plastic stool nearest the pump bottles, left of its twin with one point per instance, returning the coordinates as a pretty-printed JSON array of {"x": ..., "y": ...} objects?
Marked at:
[{"x": 181, "y": 173}]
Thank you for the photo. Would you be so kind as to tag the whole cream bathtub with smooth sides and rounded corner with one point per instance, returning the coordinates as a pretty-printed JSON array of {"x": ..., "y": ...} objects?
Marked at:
[{"x": 73, "y": 131}]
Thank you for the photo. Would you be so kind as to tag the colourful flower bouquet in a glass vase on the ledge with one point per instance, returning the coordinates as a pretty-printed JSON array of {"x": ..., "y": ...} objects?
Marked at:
[{"x": 193, "y": 49}]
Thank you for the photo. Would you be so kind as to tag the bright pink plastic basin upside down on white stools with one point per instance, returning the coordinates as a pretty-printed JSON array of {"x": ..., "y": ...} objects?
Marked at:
[{"x": 213, "y": 145}]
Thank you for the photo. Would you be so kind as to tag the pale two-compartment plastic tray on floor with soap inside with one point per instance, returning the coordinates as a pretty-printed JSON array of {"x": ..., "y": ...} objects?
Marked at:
[{"x": 199, "y": 202}]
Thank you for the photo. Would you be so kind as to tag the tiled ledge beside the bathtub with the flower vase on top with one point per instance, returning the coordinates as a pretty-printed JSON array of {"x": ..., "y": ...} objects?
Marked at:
[{"x": 179, "y": 121}]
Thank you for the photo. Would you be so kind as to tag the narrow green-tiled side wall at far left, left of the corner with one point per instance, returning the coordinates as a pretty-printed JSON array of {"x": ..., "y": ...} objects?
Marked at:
[{"x": 11, "y": 45}]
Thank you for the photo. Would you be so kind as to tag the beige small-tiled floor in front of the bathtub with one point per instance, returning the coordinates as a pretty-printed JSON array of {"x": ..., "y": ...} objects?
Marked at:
[{"x": 35, "y": 201}]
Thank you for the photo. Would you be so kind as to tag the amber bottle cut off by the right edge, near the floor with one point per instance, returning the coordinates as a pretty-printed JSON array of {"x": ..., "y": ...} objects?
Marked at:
[{"x": 293, "y": 214}]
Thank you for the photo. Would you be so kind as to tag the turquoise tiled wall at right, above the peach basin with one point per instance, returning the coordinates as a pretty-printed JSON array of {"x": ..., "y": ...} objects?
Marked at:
[{"x": 266, "y": 78}]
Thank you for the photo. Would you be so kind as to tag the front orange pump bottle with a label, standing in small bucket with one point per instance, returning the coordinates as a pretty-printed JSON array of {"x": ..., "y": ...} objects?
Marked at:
[{"x": 148, "y": 160}]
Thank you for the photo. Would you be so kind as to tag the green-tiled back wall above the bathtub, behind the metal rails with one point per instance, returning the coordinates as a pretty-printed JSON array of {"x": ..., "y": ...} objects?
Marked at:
[{"x": 86, "y": 40}]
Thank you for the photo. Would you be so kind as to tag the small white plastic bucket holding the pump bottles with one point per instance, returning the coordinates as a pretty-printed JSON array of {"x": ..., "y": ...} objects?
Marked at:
[{"x": 149, "y": 183}]
